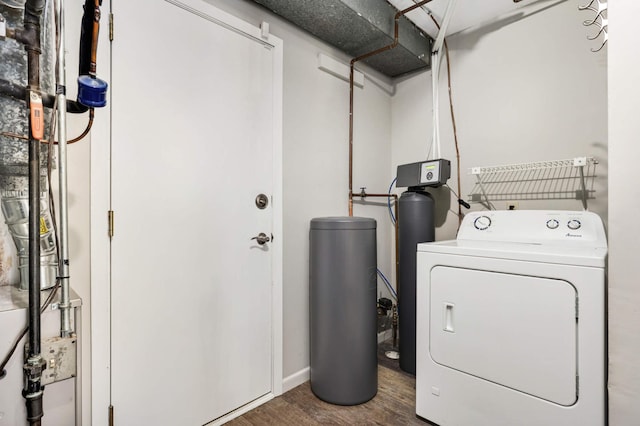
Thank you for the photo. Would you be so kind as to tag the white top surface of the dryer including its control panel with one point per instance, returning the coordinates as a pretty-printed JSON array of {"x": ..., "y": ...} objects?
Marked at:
[{"x": 562, "y": 237}]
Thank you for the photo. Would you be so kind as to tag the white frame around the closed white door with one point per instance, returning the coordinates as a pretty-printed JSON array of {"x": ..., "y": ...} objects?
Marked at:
[{"x": 101, "y": 204}]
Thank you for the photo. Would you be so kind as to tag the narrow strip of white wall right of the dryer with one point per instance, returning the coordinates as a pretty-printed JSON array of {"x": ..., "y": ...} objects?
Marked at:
[{"x": 624, "y": 228}]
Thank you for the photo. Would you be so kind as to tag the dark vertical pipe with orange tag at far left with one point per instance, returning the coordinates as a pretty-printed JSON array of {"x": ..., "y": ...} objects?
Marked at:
[{"x": 30, "y": 37}]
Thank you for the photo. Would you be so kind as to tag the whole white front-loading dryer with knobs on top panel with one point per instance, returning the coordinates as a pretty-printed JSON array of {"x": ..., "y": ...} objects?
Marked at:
[{"x": 511, "y": 321}]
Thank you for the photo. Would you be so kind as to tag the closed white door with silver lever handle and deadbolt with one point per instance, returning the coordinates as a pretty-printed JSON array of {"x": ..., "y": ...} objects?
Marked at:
[{"x": 193, "y": 129}]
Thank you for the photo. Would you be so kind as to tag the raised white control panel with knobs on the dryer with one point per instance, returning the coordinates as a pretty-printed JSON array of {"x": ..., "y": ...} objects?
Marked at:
[{"x": 535, "y": 226}]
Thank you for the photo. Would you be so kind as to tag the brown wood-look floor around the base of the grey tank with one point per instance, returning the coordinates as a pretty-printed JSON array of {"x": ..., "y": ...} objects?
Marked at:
[{"x": 394, "y": 404}]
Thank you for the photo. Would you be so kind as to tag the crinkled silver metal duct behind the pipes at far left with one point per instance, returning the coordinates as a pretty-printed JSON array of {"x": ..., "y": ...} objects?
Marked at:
[{"x": 14, "y": 155}]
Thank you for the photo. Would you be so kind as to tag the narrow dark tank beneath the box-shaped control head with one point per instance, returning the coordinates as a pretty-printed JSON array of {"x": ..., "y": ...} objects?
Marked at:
[{"x": 416, "y": 225}]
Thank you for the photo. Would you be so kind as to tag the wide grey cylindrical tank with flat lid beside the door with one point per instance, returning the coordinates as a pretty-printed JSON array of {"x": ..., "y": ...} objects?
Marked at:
[{"x": 342, "y": 305}]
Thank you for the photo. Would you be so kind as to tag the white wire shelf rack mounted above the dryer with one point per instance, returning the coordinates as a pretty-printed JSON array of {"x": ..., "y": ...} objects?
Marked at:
[{"x": 543, "y": 180}]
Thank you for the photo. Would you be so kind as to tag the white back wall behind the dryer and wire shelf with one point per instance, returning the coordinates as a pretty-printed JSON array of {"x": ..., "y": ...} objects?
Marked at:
[{"x": 527, "y": 90}]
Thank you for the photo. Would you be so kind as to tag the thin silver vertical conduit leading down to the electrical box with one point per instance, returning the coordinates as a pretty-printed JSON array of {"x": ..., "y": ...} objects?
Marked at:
[{"x": 65, "y": 306}]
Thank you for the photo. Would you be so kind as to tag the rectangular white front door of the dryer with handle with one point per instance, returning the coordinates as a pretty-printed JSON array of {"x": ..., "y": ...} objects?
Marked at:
[{"x": 513, "y": 330}]
